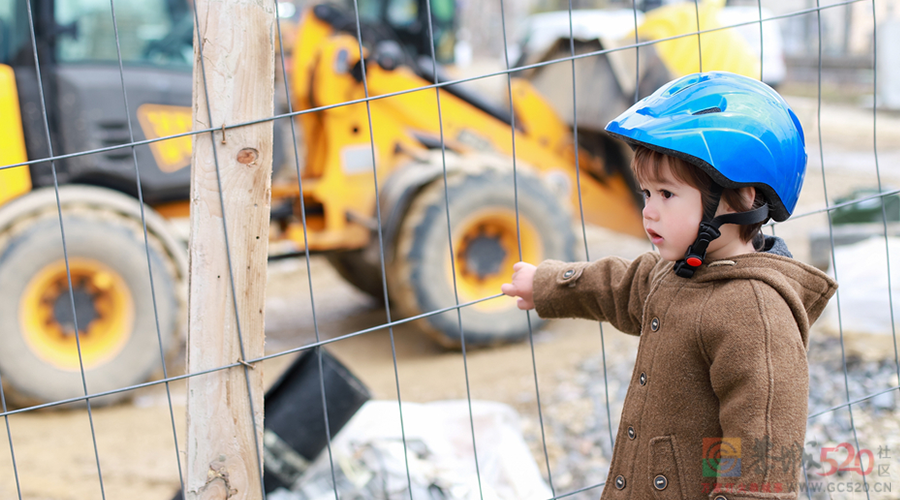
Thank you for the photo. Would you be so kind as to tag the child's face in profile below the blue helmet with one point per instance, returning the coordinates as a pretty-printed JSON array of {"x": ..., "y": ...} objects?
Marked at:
[{"x": 672, "y": 213}]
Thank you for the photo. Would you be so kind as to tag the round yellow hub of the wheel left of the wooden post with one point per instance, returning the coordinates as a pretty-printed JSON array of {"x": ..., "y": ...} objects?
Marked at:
[{"x": 104, "y": 311}]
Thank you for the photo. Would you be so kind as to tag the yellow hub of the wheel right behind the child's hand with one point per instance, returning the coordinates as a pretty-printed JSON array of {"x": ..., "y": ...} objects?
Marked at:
[{"x": 486, "y": 247}]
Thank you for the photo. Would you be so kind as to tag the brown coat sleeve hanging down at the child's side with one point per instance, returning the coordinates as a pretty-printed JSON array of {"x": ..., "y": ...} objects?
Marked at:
[{"x": 758, "y": 370}]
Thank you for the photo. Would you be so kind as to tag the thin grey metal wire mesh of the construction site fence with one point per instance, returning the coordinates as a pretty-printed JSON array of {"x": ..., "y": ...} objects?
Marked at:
[{"x": 847, "y": 409}]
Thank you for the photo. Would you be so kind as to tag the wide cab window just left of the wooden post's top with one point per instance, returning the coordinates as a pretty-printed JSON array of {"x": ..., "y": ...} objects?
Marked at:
[{"x": 157, "y": 32}]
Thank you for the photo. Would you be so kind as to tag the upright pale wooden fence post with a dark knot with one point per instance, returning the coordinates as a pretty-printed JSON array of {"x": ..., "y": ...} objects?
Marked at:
[{"x": 239, "y": 60}]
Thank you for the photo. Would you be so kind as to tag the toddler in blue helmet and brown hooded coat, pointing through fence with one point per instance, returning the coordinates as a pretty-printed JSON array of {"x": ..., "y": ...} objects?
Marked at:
[{"x": 717, "y": 404}]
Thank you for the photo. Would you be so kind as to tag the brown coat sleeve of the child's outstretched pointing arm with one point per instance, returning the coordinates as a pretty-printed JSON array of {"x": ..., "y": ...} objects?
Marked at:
[{"x": 610, "y": 289}]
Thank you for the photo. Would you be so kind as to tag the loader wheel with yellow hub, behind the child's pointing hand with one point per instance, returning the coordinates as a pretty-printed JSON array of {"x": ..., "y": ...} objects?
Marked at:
[{"x": 420, "y": 277}]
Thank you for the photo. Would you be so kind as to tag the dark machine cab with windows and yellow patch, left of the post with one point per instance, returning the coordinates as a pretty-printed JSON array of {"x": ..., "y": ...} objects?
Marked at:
[{"x": 82, "y": 89}]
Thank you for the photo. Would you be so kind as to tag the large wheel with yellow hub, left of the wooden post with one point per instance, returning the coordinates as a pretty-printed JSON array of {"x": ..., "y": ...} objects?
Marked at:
[{"x": 99, "y": 239}]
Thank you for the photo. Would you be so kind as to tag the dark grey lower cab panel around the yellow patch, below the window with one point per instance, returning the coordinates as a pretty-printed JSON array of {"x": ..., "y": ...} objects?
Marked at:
[{"x": 87, "y": 116}]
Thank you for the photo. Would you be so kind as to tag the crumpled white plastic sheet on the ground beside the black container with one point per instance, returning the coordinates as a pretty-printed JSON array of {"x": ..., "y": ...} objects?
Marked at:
[{"x": 369, "y": 459}]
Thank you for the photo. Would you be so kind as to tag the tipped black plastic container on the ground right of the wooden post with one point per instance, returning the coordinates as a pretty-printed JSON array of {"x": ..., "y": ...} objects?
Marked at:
[{"x": 294, "y": 432}]
